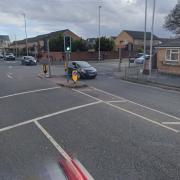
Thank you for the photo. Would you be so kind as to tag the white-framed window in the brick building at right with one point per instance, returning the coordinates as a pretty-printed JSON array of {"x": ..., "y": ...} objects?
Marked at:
[{"x": 172, "y": 55}]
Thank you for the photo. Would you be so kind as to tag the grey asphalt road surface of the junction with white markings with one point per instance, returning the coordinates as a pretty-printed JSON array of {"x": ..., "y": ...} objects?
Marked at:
[{"x": 117, "y": 130}]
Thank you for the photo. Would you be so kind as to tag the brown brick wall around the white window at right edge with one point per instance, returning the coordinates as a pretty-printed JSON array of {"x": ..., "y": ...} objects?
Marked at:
[{"x": 163, "y": 66}]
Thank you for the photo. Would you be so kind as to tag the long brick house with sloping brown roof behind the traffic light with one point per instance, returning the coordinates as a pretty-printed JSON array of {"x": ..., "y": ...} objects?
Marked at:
[{"x": 39, "y": 42}]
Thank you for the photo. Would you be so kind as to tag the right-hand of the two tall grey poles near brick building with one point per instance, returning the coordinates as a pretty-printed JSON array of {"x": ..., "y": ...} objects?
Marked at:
[{"x": 151, "y": 43}]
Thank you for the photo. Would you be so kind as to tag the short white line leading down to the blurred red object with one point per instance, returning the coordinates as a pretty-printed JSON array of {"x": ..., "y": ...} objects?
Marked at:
[{"x": 51, "y": 139}]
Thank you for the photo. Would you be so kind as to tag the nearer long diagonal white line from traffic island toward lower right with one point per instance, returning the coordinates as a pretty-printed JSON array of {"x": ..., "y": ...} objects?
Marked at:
[{"x": 135, "y": 114}]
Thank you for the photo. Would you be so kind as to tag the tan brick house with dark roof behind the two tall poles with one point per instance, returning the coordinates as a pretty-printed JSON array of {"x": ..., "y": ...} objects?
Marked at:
[{"x": 136, "y": 39}]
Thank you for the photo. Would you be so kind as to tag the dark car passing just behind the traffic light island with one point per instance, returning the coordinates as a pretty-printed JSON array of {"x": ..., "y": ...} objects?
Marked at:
[{"x": 84, "y": 69}]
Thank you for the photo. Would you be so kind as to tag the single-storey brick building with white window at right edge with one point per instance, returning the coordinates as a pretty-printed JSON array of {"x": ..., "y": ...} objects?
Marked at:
[{"x": 168, "y": 56}]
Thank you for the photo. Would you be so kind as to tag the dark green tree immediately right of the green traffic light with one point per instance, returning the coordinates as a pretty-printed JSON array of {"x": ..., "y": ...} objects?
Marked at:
[{"x": 78, "y": 45}]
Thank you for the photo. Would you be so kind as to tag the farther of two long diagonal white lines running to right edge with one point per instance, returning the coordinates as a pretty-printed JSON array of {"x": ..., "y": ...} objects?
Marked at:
[{"x": 155, "y": 110}]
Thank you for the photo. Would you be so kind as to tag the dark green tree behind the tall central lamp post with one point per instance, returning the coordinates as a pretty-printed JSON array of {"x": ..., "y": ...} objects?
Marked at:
[{"x": 106, "y": 44}]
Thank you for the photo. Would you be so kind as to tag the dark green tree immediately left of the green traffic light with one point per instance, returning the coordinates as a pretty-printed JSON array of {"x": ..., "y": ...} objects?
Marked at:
[{"x": 57, "y": 43}]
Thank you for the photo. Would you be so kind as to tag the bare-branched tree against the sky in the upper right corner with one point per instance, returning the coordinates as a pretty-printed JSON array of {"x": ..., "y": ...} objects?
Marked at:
[{"x": 172, "y": 21}]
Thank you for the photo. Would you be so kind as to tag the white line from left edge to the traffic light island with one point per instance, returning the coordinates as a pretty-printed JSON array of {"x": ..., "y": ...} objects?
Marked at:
[{"x": 28, "y": 92}]
